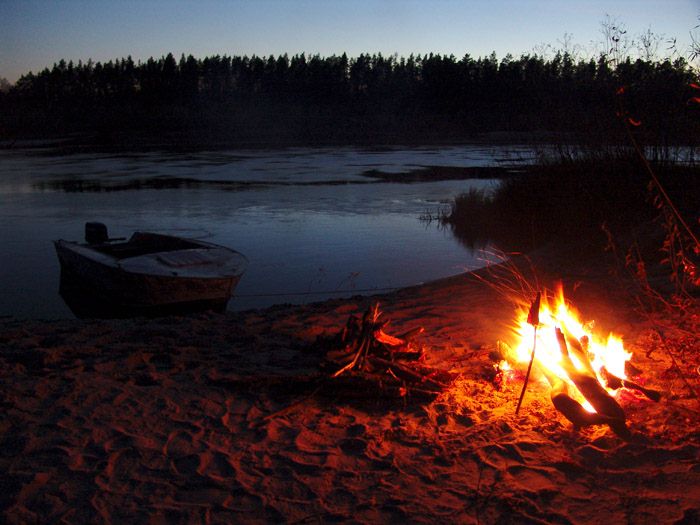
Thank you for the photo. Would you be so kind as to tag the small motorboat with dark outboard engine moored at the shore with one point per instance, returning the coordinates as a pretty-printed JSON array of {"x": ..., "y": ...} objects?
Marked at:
[{"x": 148, "y": 274}]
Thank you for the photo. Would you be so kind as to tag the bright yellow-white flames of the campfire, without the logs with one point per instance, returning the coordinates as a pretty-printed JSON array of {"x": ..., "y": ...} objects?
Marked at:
[{"x": 588, "y": 349}]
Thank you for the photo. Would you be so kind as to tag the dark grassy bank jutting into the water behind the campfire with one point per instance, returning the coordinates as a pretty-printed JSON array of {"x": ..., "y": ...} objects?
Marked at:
[{"x": 585, "y": 202}]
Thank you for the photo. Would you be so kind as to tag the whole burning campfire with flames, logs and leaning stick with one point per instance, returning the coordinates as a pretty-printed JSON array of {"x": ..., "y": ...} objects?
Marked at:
[{"x": 585, "y": 371}]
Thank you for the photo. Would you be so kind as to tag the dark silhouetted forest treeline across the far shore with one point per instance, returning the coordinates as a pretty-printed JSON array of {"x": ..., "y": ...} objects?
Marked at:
[{"x": 371, "y": 98}]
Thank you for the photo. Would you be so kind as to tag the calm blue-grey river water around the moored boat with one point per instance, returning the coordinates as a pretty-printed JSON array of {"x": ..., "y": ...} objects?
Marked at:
[{"x": 311, "y": 225}]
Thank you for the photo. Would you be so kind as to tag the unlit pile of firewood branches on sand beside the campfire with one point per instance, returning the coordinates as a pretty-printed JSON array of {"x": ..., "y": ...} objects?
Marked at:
[{"x": 362, "y": 352}]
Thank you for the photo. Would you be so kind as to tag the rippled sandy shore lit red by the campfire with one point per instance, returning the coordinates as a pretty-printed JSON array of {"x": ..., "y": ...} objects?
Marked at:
[{"x": 220, "y": 419}]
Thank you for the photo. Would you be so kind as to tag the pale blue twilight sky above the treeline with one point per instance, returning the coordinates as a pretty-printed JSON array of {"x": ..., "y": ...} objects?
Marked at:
[{"x": 36, "y": 33}]
